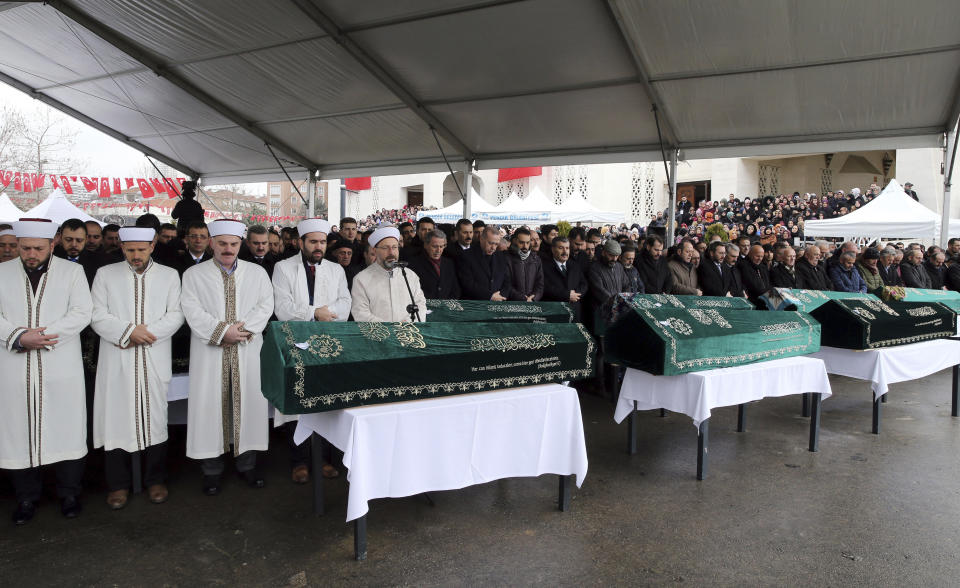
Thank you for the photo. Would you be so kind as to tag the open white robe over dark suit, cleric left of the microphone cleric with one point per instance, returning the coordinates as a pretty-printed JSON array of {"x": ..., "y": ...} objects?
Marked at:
[{"x": 292, "y": 300}]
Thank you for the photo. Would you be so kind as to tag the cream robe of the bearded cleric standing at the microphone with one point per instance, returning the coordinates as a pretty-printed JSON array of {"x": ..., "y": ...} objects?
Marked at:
[{"x": 380, "y": 298}]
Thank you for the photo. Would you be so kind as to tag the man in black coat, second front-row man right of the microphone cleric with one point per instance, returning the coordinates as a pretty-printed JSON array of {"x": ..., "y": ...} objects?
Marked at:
[{"x": 483, "y": 270}]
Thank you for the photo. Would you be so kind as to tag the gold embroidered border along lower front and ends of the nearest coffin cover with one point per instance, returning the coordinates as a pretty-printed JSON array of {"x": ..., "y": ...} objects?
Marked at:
[{"x": 402, "y": 391}]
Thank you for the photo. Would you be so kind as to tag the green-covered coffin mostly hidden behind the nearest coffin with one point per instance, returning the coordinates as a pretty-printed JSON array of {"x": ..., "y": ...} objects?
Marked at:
[{"x": 484, "y": 311}]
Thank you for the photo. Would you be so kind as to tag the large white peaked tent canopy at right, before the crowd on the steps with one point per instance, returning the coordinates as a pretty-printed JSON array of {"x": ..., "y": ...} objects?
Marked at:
[{"x": 892, "y": 214}]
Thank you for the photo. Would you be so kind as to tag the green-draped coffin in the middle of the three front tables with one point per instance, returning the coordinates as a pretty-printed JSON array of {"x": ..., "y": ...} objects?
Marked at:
[{"x": 670, "y": 341}]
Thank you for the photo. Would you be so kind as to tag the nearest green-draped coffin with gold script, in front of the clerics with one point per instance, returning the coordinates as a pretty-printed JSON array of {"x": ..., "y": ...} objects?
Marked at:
[{"x": 319, "y": 366}]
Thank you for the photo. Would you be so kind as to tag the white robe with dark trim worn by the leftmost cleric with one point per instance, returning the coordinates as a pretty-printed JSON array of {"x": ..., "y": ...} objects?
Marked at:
[{"x": 43, "y": 405}]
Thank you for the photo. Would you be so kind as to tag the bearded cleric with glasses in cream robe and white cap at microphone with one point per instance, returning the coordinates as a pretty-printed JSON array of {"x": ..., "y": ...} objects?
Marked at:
[{"x": 380, "y": 292}]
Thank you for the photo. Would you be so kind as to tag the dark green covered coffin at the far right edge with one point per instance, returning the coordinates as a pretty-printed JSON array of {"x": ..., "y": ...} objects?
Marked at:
[{"x": 871, "y": 324}]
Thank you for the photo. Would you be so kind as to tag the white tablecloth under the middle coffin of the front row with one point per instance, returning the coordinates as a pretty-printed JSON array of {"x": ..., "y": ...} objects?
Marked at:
[{"x": 696, "y": 393}]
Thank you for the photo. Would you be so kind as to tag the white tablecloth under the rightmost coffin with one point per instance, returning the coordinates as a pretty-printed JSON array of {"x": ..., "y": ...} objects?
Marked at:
[{"x": 882, "y": 367}]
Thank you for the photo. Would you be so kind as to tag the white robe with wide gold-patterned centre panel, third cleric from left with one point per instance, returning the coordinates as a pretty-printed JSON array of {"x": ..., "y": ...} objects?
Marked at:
[{"x": 204, "y": 303}]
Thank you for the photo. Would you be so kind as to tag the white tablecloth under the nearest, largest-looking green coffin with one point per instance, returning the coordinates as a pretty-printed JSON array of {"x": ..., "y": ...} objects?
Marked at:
[{"x": 405, "y": 448}]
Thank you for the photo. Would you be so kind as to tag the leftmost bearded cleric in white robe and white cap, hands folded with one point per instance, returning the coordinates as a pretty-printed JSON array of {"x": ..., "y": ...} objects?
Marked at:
[{"x": 44, "y": 304}]
